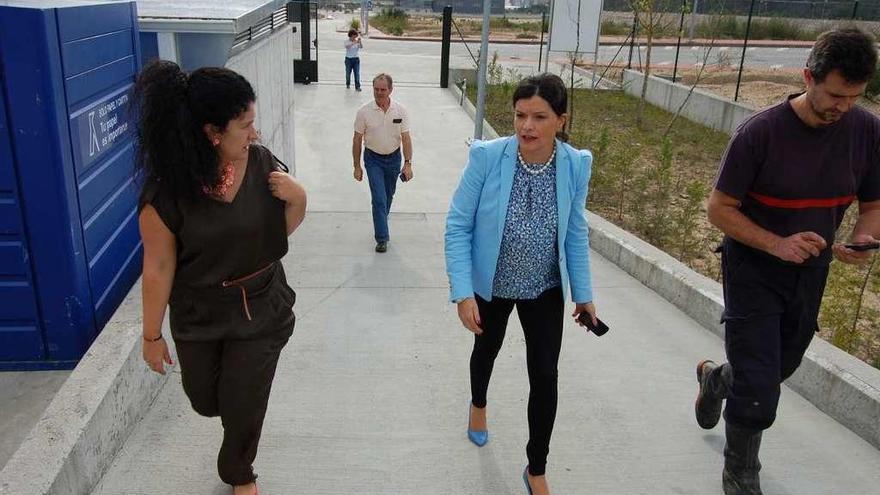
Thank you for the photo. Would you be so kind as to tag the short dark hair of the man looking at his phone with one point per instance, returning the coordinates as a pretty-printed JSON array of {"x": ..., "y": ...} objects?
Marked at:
[{"x": 850, "y": 51}]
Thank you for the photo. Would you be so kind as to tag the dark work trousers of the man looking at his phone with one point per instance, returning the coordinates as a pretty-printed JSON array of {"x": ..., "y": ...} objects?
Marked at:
[{"x": 770, "y": 317}]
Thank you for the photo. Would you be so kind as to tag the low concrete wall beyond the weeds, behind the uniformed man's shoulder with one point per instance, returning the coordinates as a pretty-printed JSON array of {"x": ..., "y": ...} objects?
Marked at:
[{"x": 702, "y": 107}]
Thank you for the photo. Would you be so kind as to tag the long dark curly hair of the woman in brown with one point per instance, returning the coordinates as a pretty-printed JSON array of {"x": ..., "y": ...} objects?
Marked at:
[{"x": 173, "y": 108}]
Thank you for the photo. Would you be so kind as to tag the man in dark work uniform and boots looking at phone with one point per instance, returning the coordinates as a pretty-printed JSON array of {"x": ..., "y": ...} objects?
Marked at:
[{"x": 786, "y": 180}]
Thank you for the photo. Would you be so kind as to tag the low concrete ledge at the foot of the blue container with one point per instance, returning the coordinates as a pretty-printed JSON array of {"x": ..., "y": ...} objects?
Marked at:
[{"x": 91, "y": 416}]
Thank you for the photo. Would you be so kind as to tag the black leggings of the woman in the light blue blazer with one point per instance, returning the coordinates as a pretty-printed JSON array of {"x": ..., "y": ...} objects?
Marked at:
[{"x": 541, "y": 320}]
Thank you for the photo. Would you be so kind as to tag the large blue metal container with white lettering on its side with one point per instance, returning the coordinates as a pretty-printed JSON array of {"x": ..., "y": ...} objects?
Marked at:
[{"x": 69, "y": 98}]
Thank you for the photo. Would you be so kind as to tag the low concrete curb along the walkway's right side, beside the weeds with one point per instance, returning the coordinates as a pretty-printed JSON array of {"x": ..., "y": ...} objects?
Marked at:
[{"x": 841, "y": 386}]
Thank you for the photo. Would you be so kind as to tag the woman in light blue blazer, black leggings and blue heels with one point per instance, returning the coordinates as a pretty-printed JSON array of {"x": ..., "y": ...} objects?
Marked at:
[{"x": 516, "y": 235}]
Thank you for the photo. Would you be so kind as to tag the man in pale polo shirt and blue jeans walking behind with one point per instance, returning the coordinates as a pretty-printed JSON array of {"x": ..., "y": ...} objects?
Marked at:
[{"x": 380, "y": 127}]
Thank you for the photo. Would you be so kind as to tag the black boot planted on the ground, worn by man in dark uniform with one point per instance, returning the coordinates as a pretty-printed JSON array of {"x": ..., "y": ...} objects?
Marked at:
[{"x": 741, "y": 464}]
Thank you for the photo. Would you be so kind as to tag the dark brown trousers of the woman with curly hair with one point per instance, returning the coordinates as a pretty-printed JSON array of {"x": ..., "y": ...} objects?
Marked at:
[{"x": 232, "y": 379}]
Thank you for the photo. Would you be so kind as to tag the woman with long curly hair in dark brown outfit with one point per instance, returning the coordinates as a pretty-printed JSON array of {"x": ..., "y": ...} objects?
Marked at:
[{"x": 214, "y": 214}]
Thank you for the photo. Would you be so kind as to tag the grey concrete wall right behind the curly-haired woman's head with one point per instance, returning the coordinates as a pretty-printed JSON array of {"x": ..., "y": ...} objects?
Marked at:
[{"x": 268, "y": 65}]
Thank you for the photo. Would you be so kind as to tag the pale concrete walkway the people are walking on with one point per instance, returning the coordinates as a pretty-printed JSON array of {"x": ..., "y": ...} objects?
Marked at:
[{"x": 372, "y": 391}]
